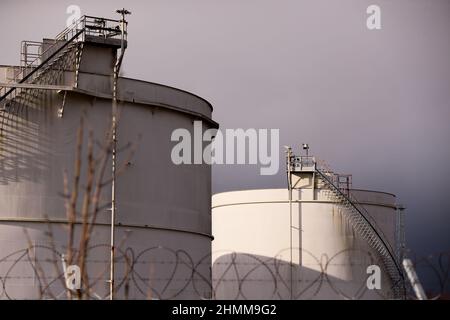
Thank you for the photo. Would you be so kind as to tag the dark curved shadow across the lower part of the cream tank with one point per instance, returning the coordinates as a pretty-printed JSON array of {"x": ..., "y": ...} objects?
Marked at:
[{"x": 241, "y": 276}]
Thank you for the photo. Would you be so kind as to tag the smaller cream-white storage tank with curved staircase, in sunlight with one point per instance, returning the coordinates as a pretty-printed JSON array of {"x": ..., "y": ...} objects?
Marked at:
[{"x": 318, "y": 239}]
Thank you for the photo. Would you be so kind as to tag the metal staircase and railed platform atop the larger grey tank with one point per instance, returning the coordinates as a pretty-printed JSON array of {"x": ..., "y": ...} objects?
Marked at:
[{"x": 46, "y": 69}]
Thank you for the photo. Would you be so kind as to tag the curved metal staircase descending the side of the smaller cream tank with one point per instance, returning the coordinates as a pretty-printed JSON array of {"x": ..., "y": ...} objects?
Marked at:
[{"x": 358, "y": 217}]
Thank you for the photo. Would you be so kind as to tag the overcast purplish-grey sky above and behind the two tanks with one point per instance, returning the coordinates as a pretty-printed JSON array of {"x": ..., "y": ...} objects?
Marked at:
[{"x": 372, "y": 103}]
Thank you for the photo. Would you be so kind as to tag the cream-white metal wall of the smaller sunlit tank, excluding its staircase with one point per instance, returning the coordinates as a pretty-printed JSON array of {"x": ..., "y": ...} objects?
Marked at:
[{"x": 251, "y": 235}]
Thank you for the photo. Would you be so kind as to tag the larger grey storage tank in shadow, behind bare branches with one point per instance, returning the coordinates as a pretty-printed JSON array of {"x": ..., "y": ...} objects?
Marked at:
[{"x": 56, "y": 181}]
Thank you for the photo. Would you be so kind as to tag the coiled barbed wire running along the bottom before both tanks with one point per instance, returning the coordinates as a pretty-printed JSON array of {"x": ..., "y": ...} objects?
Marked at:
[{"x": 158, "y": 272}]
